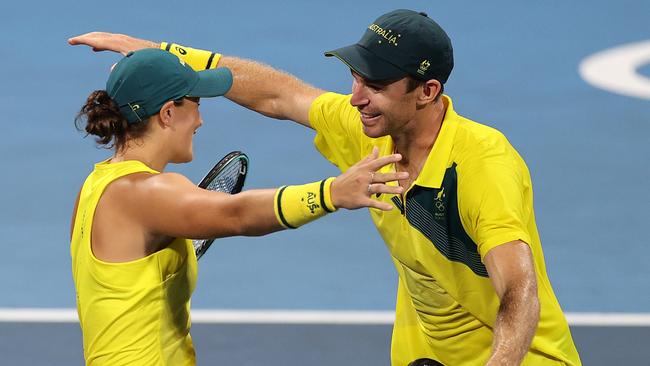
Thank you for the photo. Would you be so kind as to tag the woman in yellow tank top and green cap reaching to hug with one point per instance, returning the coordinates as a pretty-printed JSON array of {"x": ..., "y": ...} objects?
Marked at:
[{"x": 133, "y": 269}]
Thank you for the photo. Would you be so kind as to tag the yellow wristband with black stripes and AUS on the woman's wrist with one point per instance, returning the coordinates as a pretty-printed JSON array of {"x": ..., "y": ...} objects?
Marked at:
[{"x": 298, "y": 205}]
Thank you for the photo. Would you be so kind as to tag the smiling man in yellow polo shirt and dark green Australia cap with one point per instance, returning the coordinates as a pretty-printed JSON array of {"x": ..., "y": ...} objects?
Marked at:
[{"x": 473, "y": 288}]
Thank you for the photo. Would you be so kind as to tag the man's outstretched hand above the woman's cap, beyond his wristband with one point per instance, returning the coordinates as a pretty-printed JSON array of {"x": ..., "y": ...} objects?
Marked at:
[{"x": 121, "y": 43}]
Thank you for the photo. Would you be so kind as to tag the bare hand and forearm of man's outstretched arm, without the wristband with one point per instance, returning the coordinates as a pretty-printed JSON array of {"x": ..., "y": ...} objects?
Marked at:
[{"x": 256, "y": 86}]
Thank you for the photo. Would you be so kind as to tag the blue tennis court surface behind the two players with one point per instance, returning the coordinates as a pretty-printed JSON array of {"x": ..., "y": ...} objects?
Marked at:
[{"x": 518, "y": 68}]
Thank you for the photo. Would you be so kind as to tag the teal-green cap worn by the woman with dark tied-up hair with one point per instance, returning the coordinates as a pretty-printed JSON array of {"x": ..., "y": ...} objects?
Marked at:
[{"x": 144, "y": 80}]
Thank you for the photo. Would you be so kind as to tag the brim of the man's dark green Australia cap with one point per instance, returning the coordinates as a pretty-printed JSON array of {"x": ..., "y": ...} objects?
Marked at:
[{"x": 366, "y": 63}]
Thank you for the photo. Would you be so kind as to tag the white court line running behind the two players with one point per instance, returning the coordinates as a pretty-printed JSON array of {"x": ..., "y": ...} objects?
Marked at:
[{"x": 39, "y": 315}]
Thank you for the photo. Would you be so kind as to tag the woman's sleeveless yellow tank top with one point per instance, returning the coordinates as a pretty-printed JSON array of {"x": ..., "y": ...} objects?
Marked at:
[{"x": 137, "y": 312}]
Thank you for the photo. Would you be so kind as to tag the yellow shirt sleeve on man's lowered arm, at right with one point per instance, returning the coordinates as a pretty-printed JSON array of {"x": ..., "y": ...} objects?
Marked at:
[{"x": 493, "y": 204}]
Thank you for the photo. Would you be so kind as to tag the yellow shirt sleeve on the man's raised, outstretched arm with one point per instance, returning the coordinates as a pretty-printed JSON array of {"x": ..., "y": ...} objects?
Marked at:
[{"x": 339, "y": 137}]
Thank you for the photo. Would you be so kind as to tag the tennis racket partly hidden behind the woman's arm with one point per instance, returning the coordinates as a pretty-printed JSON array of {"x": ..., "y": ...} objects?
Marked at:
[{"x": 227, "y": 176}]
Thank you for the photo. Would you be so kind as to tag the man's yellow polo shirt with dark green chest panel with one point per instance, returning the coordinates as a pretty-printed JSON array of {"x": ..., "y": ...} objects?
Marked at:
[{"x": 473, "y": 194}]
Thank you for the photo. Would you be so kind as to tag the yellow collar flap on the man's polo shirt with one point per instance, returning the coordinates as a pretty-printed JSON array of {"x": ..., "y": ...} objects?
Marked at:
[{"x": 434, "y": 168}]
